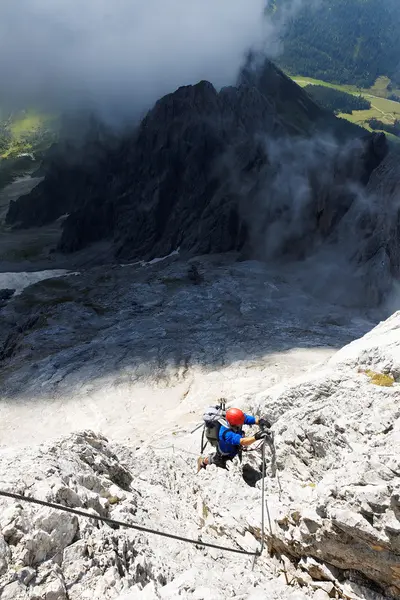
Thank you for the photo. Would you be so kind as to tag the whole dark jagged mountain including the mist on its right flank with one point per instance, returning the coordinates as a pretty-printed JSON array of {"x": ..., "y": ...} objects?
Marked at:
[{"x": 256, "y": 168}]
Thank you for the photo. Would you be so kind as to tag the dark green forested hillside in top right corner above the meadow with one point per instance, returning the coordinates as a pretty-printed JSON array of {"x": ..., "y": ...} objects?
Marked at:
[{"x": 342, "y": 41}]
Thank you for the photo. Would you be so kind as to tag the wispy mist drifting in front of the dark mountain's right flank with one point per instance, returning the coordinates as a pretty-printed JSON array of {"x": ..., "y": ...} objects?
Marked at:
[{"x": 312, "y": 214}]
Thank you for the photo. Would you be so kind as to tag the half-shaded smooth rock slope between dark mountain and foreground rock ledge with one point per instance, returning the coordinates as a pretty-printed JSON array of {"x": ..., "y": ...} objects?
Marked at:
[{"x": 136, "y": 339}]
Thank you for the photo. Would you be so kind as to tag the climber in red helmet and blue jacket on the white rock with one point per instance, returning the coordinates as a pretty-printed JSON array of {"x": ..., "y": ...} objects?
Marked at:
[{"x": 231, "y": 438}]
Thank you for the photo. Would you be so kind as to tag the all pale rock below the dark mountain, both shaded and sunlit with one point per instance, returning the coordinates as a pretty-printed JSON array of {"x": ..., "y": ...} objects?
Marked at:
[{"x": 333, "y": 472}]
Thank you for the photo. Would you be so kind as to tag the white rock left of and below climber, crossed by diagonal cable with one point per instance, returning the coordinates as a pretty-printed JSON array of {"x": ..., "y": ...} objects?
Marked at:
[{"x": 47, "y": 554}]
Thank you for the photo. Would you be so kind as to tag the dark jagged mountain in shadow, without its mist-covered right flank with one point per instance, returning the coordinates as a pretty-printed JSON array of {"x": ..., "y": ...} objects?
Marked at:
[{"x": 192, "y": 174}]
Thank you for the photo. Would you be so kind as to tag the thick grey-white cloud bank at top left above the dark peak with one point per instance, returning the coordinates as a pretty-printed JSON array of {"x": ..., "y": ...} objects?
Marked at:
[{"x": 121, "y": 53}]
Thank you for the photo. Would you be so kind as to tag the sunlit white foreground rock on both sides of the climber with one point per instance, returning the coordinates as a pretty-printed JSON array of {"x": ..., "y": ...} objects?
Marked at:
[{"x": 332, "y": 500}]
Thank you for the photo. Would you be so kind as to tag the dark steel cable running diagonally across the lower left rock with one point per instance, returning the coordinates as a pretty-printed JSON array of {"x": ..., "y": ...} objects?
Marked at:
[{"x": 81, "y": 513}]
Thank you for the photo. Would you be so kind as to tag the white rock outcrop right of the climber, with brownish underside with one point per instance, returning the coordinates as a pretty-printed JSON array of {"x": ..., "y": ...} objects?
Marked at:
[{"x": 338, "y": 448}]
